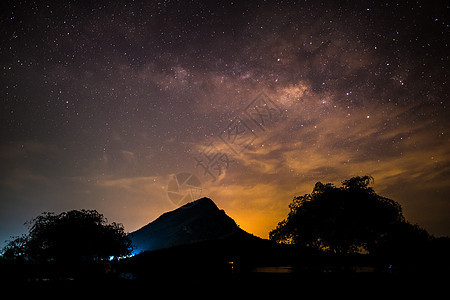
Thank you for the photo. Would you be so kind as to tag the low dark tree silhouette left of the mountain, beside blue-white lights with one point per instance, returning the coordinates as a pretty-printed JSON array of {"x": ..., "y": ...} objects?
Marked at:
[{"x": 73, "y": 236}]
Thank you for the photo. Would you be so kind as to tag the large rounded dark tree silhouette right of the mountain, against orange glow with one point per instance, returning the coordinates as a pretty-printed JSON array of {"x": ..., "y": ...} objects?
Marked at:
[{"x": 341, "y": 220}]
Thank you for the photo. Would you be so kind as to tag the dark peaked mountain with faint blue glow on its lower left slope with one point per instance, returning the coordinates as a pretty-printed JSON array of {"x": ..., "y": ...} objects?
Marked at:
[{"x": 200, "y": 220}]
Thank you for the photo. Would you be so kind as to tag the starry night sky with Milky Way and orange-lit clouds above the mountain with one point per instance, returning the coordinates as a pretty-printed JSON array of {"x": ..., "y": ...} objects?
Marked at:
[{"x": 105, "y": 103}]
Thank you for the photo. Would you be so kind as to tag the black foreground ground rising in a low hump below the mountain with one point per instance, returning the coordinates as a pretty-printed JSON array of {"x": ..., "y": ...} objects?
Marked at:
[{"x": 222, "y": 269}]
